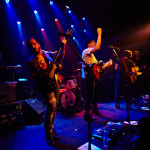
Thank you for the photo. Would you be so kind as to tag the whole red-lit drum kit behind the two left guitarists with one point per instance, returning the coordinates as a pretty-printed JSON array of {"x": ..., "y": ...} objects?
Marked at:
[{"x": 70, "y": 92}]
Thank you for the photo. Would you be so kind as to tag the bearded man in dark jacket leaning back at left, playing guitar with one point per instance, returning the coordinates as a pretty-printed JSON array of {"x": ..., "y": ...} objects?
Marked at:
[{"x": 38, "y": 66}]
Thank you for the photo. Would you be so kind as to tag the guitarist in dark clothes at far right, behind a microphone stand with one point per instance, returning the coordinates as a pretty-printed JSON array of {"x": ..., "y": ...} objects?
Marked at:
[{"x": 125, "y": 77}]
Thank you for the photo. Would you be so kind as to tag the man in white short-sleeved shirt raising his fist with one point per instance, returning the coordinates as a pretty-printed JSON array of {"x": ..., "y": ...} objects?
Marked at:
[{"x": 91, "y": 86}]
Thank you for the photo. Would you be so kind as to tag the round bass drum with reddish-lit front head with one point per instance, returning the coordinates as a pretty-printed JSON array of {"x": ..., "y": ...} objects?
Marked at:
[{"x": 68, "y": 99}]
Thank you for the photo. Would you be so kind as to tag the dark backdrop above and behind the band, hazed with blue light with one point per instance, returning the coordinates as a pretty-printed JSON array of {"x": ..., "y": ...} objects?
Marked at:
[{"x": 125, "y": 24}]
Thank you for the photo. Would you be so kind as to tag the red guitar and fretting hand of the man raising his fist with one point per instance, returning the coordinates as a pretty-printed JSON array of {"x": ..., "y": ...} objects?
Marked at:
[{"x": 98, "y": 69}]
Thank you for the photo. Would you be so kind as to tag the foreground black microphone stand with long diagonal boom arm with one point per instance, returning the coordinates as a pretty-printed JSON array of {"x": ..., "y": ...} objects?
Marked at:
[{"x": 90, "y": 74}]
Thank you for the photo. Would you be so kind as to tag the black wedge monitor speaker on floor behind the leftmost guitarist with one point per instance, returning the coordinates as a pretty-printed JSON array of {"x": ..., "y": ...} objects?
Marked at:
[{"x": 33, "y": 107}]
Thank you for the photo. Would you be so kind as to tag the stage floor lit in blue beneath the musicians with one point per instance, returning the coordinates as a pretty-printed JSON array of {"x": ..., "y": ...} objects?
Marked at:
[{"x": 70, "y": 126}]
